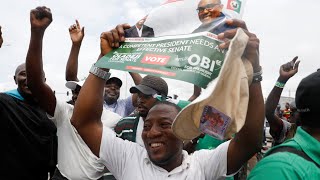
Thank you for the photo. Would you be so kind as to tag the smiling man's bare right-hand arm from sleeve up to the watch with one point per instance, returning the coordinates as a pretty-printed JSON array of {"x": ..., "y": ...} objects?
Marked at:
[{"x": 248, "y": 140}]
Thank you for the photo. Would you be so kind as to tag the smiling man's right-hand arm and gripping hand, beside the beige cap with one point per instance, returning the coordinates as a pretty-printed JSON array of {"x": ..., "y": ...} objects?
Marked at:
[{"x": 248, "y": 140}]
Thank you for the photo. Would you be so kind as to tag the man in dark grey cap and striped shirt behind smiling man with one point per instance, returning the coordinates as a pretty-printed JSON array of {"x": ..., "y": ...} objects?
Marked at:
[{"x": 149, "y": 91}]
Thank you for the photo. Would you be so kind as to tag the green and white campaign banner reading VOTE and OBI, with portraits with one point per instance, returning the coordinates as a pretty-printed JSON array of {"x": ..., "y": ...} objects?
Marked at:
[{"x": 188, "y": 55}]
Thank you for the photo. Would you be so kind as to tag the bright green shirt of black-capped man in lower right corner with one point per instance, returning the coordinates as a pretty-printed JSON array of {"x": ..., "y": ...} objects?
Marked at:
[{"x": 285, "y": 165}]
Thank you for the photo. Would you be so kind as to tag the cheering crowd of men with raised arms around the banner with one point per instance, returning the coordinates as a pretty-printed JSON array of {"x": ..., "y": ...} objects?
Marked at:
[{"x": 96, "y": 135}]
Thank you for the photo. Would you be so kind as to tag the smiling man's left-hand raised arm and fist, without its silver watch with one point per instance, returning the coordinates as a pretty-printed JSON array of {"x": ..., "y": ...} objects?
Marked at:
[{"x": 86, "y": 116}]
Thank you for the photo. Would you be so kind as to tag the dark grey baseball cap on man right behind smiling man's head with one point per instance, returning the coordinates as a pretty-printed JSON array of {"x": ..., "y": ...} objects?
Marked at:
[{"x": 151, "y": 85}]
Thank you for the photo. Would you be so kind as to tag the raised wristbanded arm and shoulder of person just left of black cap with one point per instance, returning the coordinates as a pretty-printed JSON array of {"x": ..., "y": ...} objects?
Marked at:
[{"x": 281, "y": 129}]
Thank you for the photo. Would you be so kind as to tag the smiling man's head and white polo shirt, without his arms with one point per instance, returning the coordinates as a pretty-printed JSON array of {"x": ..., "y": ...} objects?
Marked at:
[{"x": 162, "y": 157}]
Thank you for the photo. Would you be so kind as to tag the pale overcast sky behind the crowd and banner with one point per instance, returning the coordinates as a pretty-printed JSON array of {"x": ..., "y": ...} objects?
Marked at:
[{"x": 286, "y": 28}]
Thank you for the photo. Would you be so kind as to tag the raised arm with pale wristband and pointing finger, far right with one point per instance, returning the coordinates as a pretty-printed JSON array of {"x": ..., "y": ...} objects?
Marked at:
[{"x": 285, "y": 73}]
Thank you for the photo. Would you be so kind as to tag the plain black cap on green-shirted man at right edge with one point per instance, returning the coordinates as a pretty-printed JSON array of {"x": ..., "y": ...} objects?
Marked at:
[{"x": 308, "y": 97}]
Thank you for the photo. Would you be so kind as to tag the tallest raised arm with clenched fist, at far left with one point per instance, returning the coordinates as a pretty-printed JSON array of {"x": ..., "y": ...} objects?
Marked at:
[{"x": 40, "y": 19}]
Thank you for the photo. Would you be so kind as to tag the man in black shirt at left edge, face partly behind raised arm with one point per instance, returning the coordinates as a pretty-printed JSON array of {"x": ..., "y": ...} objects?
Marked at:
[{"x": 28, "y": 137}]
